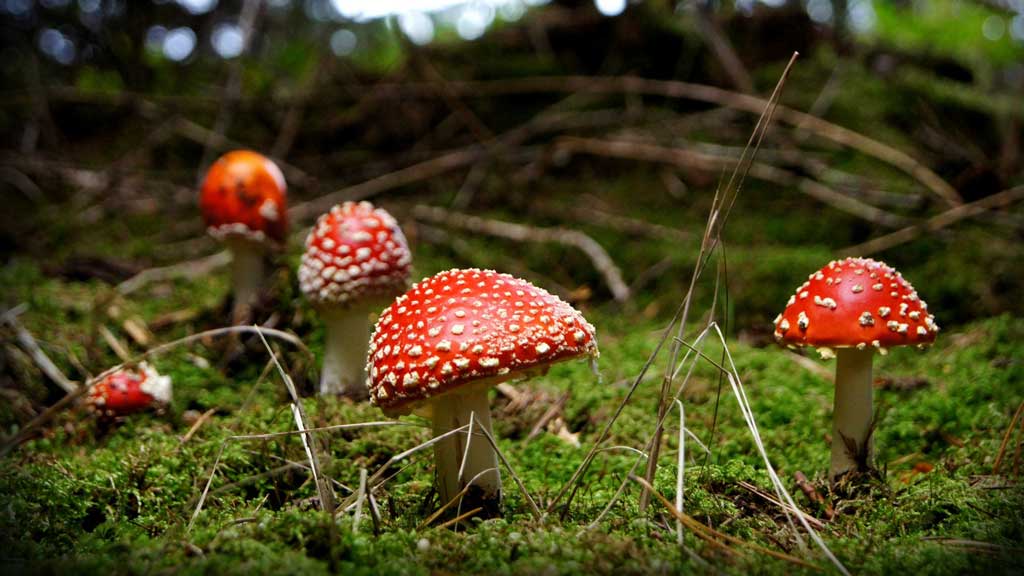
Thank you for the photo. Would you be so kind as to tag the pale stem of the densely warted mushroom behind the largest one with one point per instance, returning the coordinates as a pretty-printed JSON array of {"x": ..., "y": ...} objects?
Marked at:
[{"x": 345, "y": 371}]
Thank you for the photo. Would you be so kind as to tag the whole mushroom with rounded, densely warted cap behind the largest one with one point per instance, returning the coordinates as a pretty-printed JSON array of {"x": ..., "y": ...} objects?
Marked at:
[{"x": 357, "y": 261}]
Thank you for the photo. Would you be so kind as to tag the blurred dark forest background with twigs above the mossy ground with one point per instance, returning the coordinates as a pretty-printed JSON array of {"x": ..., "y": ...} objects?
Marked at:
[{"x": 612, "y": 118}]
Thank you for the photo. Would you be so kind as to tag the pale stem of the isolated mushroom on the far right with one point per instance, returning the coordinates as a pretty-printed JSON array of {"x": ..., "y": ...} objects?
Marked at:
[{"x": 852, "y": 443}]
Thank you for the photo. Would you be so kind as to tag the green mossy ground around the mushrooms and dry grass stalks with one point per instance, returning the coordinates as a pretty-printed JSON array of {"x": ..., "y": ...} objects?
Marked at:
[{"x": 96, "y": 500}]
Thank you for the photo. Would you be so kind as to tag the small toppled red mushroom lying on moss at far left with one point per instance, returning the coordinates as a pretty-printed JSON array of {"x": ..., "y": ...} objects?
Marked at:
[{"x": 126, "y": 392}]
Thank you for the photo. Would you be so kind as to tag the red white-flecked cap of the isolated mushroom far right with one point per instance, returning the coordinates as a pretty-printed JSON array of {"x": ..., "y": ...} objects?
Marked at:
[{"x": 856, "y": 303}]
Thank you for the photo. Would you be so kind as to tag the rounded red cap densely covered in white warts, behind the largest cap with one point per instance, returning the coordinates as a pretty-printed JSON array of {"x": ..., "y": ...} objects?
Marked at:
[{"x": 355, "y": 253}]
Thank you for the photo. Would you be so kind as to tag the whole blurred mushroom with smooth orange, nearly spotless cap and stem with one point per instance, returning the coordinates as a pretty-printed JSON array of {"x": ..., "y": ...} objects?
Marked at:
[{"x": 243, "y": 203}]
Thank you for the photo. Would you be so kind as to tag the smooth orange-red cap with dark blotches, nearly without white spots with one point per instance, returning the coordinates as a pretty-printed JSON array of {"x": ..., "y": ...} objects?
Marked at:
[{"x": 243, "y": 196}]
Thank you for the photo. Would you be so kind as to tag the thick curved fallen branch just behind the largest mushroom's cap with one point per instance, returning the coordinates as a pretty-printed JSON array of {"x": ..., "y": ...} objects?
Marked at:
[{"x": 601, "y": 259}]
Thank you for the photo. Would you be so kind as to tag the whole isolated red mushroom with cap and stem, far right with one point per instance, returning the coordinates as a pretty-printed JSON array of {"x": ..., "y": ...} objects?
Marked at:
[{"x": 852, "y": 309}]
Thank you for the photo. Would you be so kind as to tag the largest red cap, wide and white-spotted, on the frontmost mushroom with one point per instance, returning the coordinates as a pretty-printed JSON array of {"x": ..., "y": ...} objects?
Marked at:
[{"x": 465, "y": 327}]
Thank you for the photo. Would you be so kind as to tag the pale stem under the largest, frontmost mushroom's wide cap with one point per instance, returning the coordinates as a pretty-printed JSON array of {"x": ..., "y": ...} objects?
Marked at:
[{"x": 450, "y": 413}]
